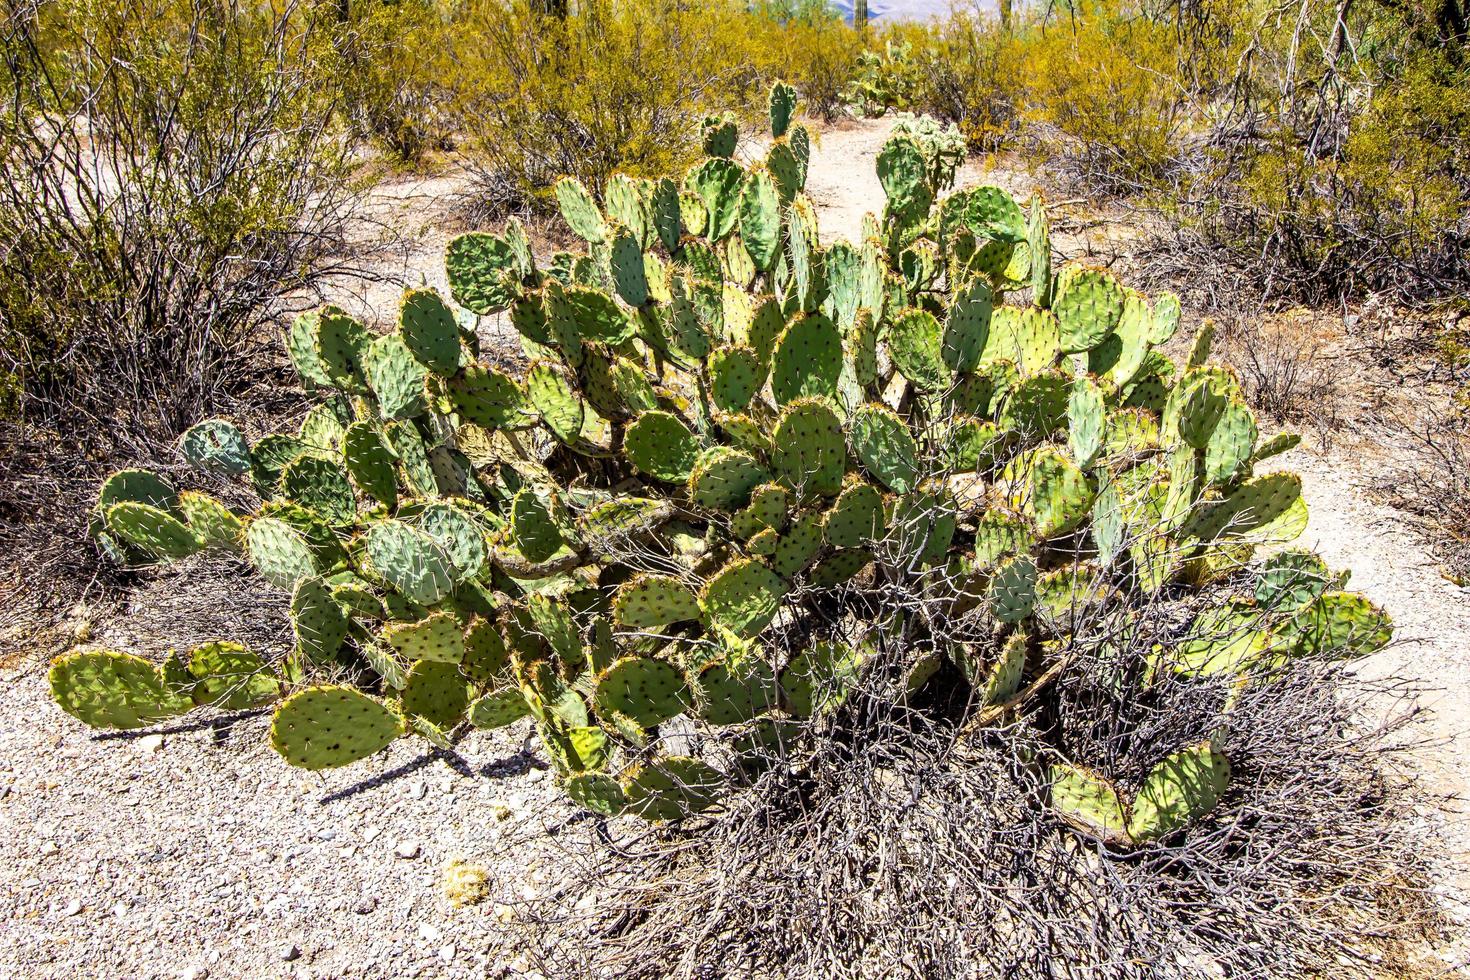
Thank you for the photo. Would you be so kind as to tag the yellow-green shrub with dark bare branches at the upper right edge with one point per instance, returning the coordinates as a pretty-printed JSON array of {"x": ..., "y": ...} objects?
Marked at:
[{"x": 1340, "y": 170}]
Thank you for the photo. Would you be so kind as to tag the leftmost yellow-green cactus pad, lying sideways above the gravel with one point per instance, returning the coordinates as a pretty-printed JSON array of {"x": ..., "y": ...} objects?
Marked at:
[{"x": 108, "y": 690}]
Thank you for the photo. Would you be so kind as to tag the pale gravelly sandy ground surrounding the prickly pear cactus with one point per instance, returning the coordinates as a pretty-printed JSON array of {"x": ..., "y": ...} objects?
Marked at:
[{"x": 196, "y": 853}]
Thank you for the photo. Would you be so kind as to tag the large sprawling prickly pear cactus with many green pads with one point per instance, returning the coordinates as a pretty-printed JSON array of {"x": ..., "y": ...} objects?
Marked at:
[{"x": 743, "y": 474}]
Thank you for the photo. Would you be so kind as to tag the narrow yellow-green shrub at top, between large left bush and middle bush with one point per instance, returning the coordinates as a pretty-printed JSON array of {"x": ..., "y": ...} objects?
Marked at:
[{"x": 387, "y": 60}]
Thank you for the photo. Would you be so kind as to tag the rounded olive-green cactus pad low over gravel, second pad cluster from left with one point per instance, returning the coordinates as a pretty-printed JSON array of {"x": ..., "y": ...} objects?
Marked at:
[{"x": 329, "y": 727}]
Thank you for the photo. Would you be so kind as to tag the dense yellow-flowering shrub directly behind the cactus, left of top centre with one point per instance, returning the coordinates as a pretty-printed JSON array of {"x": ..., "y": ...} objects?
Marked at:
[{"x": 609, "y": 87}]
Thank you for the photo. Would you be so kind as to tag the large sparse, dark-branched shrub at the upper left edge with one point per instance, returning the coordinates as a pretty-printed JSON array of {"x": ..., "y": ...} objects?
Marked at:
[{"x": 167, "y": 171}]
